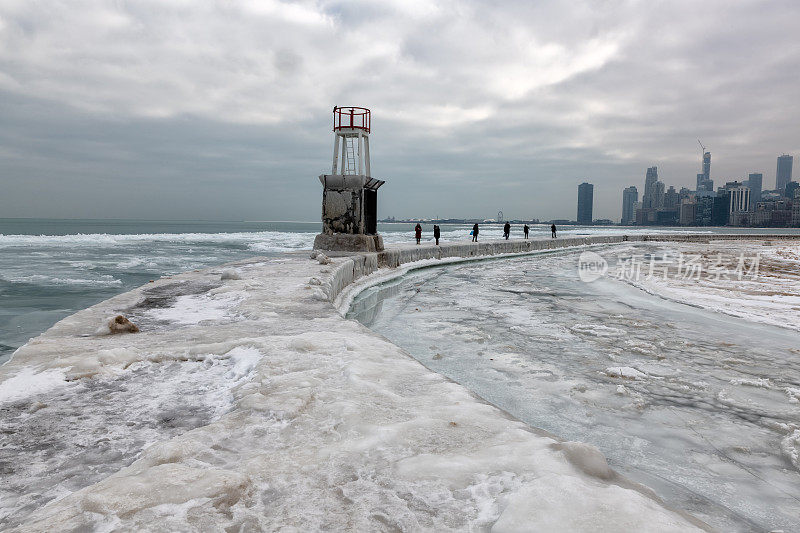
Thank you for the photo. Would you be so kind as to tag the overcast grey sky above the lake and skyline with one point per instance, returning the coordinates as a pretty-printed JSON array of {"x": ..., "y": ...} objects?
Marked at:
[{"x": 222, "y": 110}]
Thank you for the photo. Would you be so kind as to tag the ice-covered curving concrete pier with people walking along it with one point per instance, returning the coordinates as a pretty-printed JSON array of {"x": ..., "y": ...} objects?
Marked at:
[{"x": 248, "y": 403}]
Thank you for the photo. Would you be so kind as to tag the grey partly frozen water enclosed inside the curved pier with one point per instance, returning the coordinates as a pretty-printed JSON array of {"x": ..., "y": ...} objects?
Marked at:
[{"x": 700, "y": 406}]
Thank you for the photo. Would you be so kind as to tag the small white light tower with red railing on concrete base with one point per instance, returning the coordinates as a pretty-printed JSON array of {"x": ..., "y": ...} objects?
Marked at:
[{"x": 350, "y": 193}]
